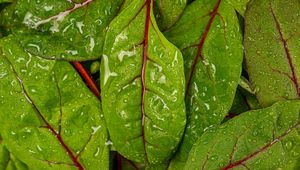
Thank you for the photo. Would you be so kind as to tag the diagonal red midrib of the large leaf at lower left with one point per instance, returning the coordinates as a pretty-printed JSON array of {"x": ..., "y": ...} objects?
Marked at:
[{"x": 48, "y": 126}]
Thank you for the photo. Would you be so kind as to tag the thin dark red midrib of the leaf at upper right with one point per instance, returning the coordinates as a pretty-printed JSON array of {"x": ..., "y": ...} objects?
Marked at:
[{"x": 287, "y": 52}]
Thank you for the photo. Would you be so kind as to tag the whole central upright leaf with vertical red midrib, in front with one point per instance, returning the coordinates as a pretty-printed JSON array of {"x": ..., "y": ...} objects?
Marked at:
[{"x": 142, "y": 82}]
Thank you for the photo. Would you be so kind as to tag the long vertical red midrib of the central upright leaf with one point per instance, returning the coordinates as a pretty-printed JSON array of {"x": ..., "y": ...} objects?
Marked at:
[{"x": 145, "y": 58}]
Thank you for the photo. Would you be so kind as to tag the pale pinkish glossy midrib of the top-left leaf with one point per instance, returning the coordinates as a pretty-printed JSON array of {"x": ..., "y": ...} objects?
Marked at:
[{"x": 61, "y": 15}]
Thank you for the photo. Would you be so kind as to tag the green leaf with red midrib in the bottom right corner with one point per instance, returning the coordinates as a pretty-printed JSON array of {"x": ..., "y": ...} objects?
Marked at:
[{"x": 262, "y": 139}]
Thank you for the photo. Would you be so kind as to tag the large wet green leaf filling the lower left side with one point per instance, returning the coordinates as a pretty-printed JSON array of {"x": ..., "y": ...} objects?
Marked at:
[{"x": 48, "y": 117}]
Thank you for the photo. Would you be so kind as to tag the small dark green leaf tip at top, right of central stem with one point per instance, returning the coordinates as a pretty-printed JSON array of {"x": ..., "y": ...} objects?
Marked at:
[{"x": 168, "y": 12}]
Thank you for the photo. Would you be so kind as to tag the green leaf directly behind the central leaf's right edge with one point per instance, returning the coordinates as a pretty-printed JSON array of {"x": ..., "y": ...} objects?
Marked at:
[{"x": 209, "y": 37}]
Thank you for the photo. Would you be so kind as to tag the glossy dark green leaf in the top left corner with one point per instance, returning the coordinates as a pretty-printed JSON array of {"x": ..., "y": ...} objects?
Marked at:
[{"x": 64, "y": 29}]
